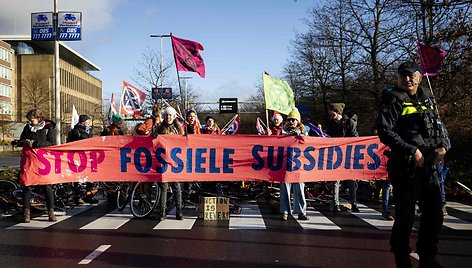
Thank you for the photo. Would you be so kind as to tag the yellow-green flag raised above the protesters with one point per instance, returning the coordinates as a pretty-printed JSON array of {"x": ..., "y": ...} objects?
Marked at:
[{"x": 278, "y": 95}]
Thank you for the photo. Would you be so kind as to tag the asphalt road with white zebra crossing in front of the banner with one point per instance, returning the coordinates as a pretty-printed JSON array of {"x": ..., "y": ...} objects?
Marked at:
[{"x": 104, "y": 237}]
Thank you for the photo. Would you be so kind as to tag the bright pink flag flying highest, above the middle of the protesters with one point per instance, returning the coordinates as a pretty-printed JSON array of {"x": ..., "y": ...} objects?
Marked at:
[{"x": 187, "y": 56}]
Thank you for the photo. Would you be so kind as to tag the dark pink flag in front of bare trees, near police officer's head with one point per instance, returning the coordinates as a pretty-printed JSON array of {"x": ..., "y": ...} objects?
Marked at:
[{"x": 431, "y": 58}]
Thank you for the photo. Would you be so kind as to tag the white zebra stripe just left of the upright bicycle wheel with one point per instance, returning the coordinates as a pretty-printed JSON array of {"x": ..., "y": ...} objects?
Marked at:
[{"x": 112, "y": 220}]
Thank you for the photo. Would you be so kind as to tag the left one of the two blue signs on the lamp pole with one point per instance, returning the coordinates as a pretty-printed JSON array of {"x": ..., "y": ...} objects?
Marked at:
[{"x": 42, "y": 27}]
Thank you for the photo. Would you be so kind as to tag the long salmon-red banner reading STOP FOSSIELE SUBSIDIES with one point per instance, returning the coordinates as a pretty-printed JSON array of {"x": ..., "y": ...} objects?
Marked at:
[{"x": 205, "y": 158}]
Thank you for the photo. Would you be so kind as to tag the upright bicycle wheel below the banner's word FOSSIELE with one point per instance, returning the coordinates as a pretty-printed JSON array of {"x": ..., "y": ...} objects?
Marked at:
[{"x": 144, "y": 198}]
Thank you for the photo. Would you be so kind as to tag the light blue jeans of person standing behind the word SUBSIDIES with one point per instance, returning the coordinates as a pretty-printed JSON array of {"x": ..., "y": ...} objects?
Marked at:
[{"x": 299, "y": 201}]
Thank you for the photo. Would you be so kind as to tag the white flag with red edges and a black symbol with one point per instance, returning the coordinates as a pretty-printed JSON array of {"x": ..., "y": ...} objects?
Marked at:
[{"x": 131, "y": 100}]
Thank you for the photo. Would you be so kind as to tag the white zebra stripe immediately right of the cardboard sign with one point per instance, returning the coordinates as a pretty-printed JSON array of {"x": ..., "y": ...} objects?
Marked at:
[{"x": 250, "y": 218}]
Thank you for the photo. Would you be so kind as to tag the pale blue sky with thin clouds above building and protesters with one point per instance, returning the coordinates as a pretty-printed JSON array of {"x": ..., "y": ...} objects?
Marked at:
[{"x": 241, "y": 38}]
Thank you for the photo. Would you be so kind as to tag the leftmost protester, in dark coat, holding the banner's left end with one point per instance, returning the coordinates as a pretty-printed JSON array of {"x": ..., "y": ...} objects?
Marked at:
[{"x": 38, "y": 133}]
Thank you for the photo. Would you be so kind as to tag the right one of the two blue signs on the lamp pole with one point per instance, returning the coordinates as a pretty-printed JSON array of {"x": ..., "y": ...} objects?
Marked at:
[{"x": 69, "y": 26}]
